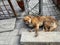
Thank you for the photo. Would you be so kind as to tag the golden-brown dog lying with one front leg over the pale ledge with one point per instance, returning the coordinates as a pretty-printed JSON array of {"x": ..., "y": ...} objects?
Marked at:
[{"x": 49, "y": 22}]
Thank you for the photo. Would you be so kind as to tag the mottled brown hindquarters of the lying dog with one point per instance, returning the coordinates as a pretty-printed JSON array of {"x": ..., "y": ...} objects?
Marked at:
[{"x": 50, "y": 23}]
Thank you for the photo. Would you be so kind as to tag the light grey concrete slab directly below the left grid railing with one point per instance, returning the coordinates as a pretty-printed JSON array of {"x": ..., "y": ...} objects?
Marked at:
[{"x": 7, "y": 24}]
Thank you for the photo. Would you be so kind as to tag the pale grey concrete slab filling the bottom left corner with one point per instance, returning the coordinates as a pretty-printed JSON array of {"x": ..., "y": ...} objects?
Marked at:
[{"x": 9, "y": 38}]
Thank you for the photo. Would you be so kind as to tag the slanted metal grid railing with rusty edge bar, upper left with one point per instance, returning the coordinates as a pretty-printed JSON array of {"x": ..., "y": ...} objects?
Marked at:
[{"x": 7, "y": 9}]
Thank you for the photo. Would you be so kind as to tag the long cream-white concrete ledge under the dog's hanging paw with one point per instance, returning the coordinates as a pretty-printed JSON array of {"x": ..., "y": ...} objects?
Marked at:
[{"x": 43, "y": 37}]
